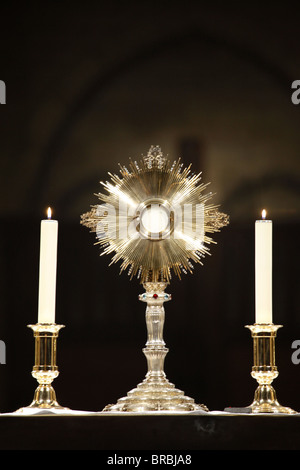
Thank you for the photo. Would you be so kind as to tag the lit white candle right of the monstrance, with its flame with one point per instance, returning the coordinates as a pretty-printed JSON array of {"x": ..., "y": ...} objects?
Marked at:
[{"x": 263, "y": 270}]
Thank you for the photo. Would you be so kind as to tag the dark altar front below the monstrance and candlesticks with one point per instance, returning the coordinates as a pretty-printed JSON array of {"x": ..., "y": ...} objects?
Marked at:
[{"x": 154, "y": 432}]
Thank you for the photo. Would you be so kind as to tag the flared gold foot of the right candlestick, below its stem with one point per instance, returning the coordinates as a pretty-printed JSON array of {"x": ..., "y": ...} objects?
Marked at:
[{"x": 265, "y": 401}]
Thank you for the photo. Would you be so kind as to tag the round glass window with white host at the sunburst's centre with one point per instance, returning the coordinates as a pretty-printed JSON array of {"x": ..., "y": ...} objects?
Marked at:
[{"x": 154, "y": 220}]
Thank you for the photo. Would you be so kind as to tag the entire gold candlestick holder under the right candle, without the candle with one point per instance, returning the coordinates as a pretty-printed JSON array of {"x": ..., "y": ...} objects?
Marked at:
[{"x": 264, "y": 370}]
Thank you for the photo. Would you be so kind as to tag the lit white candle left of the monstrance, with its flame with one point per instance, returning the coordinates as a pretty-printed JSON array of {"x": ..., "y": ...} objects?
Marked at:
[{"x": 47, "y": 274}]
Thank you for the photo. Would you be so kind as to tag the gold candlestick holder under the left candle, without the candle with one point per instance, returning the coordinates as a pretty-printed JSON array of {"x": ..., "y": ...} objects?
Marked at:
[{"x": 45, "y": 369}]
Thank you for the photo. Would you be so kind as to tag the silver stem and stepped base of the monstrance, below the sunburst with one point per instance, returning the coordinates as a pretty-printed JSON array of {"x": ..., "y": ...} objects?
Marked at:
[{"x": 155, "y": 393}]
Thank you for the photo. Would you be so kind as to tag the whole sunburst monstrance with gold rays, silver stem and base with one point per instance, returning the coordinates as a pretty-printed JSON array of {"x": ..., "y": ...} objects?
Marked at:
[{"x": 155, "y": 219}]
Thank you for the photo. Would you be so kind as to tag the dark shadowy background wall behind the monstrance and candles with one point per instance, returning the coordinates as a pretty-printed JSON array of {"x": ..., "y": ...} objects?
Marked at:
[{"x": 90, "y": 85}]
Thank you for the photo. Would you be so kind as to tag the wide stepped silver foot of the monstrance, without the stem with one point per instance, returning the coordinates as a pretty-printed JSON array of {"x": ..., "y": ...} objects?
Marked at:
[{"x": 155, "y": 395}]
